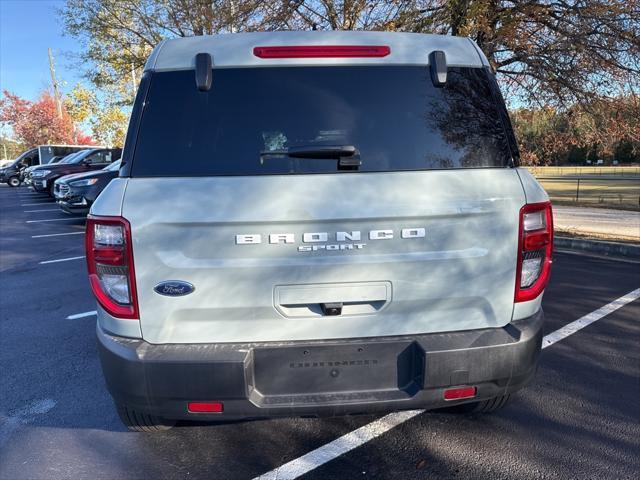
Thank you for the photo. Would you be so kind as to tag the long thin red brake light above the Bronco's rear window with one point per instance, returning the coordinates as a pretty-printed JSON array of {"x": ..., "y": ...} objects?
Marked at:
[{"x": 323, "y": 51}]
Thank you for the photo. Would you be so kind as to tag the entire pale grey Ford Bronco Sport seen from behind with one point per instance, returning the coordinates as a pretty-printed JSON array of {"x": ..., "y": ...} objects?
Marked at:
[{"x": 317, "y": 223}]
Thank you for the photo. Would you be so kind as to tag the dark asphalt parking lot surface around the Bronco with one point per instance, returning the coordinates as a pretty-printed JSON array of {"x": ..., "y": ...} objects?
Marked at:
[{"x": 580, "y": 419}]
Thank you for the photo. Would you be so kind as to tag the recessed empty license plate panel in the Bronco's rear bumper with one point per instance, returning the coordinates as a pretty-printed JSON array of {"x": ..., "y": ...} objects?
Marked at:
[{"x": 334, "y": 373}]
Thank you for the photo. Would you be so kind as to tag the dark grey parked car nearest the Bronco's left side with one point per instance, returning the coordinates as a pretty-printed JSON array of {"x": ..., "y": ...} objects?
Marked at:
[{"x": 76, "y": 193}]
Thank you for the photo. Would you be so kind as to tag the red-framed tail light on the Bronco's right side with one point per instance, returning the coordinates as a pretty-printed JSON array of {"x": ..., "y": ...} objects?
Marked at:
[{"x": 535, "y": 248}]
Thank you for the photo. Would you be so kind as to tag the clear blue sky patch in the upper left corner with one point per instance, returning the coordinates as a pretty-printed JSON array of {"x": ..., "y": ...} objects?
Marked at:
[{"x": 27, "y": 29}]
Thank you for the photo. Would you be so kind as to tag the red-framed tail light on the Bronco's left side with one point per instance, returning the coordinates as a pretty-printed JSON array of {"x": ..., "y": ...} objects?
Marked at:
[{"x": 110, "y": 263}]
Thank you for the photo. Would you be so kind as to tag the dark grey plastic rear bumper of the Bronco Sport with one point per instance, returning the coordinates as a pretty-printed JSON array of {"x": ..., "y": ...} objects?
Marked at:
[{"x": 319, "y": 378}]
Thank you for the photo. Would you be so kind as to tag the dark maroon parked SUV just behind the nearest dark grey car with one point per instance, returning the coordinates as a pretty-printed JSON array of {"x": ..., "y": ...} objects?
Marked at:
[{"x": 42, "y": 179}]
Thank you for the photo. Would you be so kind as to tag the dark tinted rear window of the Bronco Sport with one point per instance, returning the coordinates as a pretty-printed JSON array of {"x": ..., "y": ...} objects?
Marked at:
[{"x": 244, "y": 125}]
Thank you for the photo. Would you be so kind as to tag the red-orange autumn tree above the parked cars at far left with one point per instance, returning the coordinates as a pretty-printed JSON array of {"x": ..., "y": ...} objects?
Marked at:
[{"x": 37, "y": 122}]
